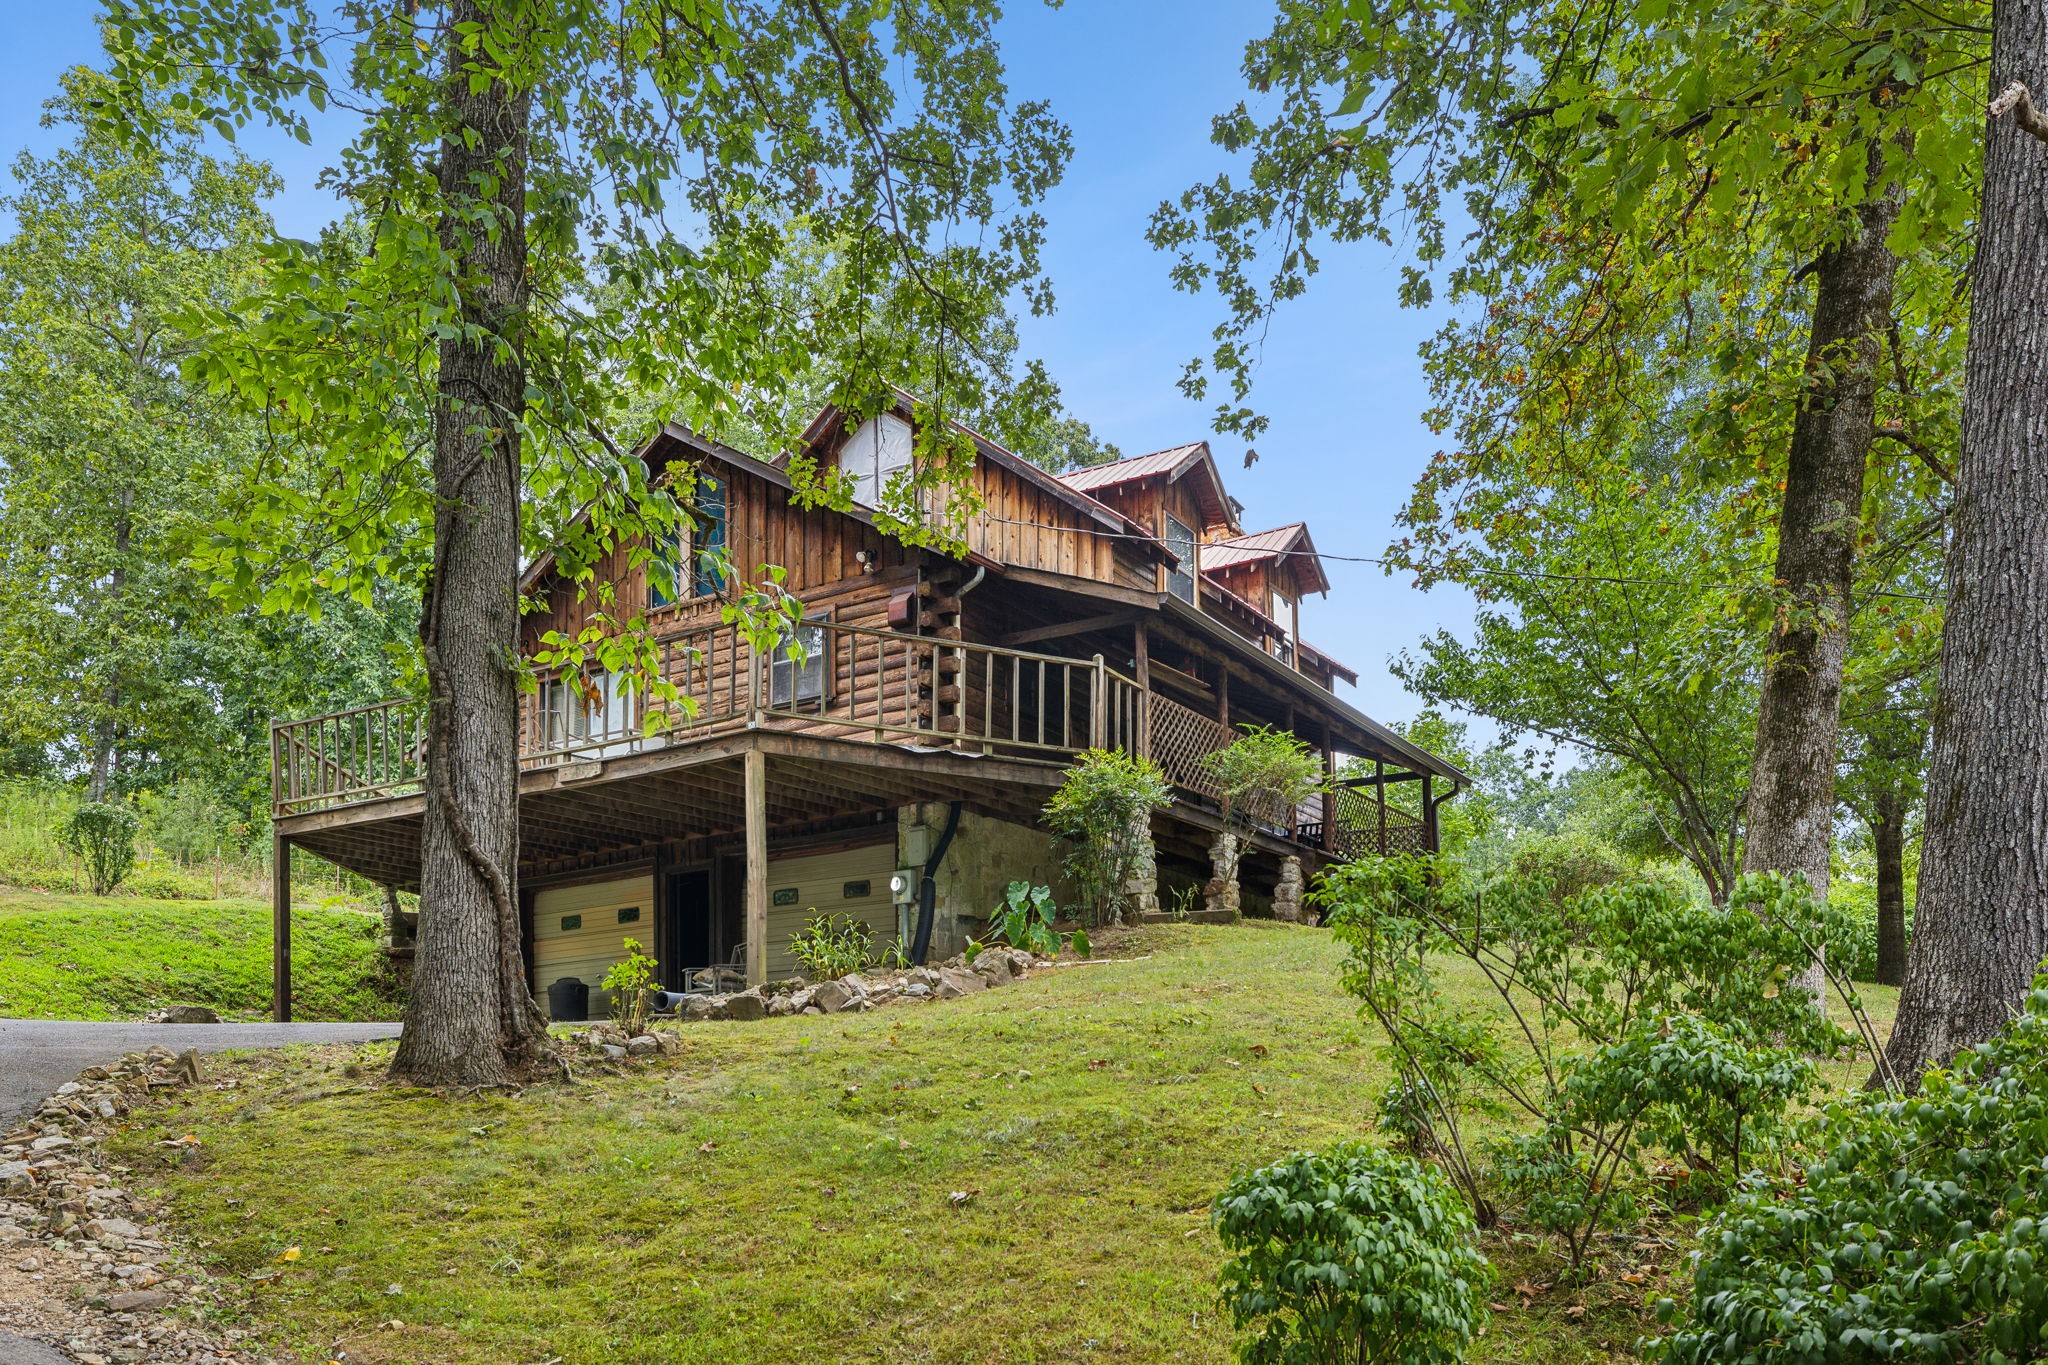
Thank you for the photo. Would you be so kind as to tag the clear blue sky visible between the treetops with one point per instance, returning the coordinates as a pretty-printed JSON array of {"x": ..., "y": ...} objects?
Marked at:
[{"x": 1138, "y": 81}]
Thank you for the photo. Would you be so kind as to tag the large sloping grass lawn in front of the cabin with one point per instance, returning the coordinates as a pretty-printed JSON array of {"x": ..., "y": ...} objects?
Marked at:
[{"x": 794, "y": 1190}]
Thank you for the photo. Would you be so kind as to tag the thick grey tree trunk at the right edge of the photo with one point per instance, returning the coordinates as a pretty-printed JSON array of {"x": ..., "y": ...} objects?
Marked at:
[{"x": 1981, "y": 920}]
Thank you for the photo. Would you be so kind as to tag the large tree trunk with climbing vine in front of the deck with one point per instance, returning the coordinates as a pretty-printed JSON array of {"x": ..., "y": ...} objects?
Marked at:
[{"x": 472, "y": 1018}]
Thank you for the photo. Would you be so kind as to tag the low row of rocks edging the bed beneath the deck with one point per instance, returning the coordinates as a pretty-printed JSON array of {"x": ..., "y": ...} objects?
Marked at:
[{"x": 853, "y": 994}]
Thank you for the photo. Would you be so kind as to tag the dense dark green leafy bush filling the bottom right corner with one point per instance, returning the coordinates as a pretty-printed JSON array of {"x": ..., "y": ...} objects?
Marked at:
[{"x": 1918, "y": 1233}]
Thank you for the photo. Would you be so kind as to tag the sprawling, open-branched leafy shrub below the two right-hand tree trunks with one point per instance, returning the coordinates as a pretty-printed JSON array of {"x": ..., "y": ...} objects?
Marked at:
[{"x": 1635, "y": 1020}]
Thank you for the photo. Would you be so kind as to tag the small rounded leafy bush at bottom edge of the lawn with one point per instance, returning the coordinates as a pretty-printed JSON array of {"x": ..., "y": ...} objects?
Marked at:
[{"x": 1351, "y": 1256}]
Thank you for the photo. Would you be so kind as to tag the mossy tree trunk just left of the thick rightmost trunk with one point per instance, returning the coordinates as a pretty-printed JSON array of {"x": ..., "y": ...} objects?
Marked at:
[{"x": 1791, "y": 818}]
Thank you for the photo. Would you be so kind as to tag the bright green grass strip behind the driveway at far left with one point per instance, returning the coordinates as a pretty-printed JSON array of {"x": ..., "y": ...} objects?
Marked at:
[{"x": 77, "y": 957}]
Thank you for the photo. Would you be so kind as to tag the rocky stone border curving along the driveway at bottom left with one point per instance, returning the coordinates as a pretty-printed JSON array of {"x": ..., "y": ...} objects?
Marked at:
[{"x": 71, "y": 1231}]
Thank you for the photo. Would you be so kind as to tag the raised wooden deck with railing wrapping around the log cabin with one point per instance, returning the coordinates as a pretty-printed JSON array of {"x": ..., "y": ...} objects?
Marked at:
[{"x": 923, "y": 715}]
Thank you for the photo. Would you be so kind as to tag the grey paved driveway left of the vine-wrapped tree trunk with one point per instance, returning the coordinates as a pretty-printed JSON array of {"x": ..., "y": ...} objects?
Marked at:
[{"x": 40, "y": 1055}]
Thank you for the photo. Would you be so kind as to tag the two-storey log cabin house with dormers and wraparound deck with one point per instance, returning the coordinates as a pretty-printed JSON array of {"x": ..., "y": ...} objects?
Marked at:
[{"x": 896, "y": 764}]
